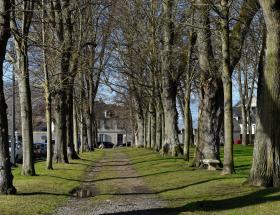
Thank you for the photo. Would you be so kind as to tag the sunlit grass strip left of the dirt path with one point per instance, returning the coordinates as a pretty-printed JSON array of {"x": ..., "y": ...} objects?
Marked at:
[{"x": 43, "y": 193}]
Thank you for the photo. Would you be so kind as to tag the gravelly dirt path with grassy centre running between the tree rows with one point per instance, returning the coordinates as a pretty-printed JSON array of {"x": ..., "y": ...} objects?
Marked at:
[{"x": 115, "y": 188}]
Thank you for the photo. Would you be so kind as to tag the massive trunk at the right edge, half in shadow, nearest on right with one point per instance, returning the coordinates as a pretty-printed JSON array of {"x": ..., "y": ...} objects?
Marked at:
[{"x": 265, "y": 169}]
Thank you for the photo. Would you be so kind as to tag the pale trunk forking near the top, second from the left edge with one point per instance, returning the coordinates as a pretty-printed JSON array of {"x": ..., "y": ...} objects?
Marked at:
[{"x": 21, "y": 45}]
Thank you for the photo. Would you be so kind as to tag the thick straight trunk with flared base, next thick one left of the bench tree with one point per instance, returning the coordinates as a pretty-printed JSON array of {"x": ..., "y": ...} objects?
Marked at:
[{"x": 169, "y": 85}]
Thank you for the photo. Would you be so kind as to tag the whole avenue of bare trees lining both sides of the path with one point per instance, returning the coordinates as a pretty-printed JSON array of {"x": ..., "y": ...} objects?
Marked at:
[{"x": 155, "y": 55}]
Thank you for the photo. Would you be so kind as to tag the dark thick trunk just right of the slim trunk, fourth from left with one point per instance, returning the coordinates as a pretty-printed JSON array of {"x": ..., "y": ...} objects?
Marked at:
[{"x": 61, "y": 14}]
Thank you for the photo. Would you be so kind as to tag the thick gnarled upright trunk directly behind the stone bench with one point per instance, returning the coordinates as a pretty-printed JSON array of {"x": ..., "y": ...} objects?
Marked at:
[{"x": 211, "y": 95}]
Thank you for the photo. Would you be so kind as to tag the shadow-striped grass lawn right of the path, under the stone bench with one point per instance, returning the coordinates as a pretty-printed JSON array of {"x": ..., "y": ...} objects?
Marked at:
[{"x": 198, "y": 191}]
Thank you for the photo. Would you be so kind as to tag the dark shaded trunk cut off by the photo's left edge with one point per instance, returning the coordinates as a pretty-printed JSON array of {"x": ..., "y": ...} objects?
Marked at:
[{"x": 6, "y": 177}]
